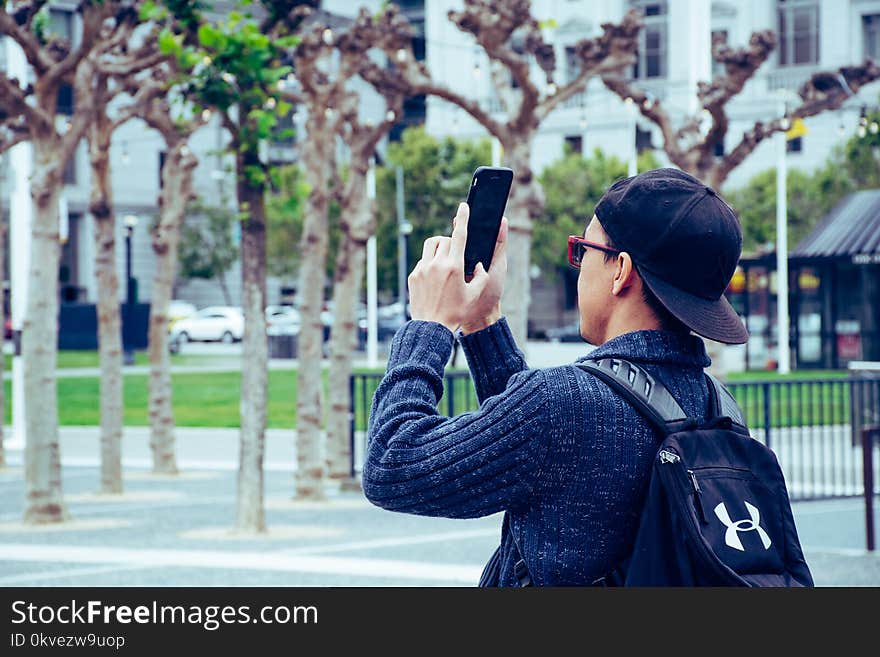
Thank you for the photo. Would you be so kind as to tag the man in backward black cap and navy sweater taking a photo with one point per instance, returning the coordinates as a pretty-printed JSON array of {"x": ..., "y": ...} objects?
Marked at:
[{"x": 556, "y": 449}]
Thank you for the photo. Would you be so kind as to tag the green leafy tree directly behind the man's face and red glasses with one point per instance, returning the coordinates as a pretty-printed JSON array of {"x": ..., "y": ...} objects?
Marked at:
[{"x": 572, "y": 187}]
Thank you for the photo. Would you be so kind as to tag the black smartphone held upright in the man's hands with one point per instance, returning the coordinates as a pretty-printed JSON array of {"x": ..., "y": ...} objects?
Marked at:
[{"x": 487, "y": 199}]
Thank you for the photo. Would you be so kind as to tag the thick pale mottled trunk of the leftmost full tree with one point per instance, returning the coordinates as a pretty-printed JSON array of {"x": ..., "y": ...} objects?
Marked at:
[{"x": 39, "y": 342}]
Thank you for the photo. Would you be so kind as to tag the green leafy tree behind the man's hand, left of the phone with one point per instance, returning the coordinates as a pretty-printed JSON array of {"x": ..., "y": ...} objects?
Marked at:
[{"x": 437, "y": 175}]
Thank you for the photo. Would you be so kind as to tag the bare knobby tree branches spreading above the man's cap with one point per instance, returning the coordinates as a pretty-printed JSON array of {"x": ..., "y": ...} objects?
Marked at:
[{"x": 691, "y": 147}]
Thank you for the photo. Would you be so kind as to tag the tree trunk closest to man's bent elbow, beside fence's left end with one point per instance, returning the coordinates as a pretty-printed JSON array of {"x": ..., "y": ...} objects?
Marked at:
[{"x": 357, "y": 226}]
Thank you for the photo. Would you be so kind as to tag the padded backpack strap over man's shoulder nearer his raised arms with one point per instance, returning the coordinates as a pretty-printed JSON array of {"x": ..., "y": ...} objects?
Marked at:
[{"x": 647, "y": 394}]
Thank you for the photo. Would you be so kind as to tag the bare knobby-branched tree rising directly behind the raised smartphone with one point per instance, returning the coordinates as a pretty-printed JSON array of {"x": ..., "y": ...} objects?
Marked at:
[{"x": 512, "y": 39}]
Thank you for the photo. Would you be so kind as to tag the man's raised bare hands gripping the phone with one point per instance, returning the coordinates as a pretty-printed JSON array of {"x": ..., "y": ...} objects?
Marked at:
[{"x": 437, "y": 287}]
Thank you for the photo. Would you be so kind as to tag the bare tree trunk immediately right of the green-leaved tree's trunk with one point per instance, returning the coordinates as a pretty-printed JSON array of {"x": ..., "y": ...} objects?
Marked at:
[{"x": 318, "y": 167}]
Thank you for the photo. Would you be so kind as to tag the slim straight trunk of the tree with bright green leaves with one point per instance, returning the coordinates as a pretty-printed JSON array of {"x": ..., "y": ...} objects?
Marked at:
[{"x": 250, "y": 514}]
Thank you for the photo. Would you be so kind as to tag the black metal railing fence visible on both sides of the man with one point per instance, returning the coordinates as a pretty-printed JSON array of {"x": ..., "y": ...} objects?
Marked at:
[{"x": 814, "y": 426}]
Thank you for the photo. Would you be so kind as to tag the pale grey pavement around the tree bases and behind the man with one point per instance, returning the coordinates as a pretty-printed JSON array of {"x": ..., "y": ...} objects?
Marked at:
[{"x": 165, "y": 531}]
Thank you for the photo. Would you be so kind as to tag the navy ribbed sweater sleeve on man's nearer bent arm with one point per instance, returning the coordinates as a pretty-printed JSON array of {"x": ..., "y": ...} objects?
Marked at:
[{"x": 472, "y": 465}]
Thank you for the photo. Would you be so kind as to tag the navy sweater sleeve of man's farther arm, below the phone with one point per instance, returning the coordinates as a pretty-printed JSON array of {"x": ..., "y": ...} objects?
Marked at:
[{"x": 492, "y": 357}]
